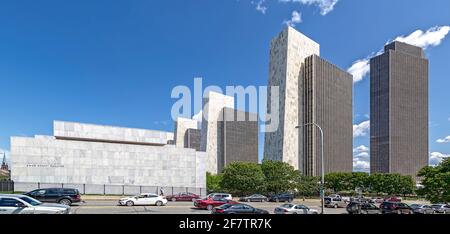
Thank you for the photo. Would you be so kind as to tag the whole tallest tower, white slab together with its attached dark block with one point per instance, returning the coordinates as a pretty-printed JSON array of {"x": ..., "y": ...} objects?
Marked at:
[{"x": 311, "y": 91}]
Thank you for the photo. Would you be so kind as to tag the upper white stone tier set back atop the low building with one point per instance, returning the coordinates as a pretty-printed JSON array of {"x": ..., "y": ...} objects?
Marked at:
[{"x": 109, "y": 133}]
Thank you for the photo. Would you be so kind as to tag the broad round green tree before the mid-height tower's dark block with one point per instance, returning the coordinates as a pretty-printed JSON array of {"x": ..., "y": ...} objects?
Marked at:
[{"x": 242, "y": 178}]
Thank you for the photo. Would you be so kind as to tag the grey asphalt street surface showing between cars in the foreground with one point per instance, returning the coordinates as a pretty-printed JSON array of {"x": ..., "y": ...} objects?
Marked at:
[{"x": 96, "y": 206}]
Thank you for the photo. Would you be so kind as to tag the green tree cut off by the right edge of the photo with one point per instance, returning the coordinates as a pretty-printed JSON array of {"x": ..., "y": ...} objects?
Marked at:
[{"x": 436, "y": 182}]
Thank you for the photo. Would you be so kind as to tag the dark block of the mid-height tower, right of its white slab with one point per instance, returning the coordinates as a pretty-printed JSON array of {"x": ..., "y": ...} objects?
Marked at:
[{"x": 239, "y": 137}]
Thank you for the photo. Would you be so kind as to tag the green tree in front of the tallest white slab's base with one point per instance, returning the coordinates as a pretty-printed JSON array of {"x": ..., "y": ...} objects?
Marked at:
[{"x": 280, "y": 176}]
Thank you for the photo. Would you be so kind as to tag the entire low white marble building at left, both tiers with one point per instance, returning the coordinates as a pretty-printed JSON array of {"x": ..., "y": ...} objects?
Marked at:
[{"x": 102, "y": 155}]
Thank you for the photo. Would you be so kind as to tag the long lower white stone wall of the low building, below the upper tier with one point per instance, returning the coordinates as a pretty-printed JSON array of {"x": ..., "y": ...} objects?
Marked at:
[{"x": 48, "y": 160}]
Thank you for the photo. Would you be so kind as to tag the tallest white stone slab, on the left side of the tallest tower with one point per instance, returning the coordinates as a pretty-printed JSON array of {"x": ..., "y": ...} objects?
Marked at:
[{"x": 287, "y": 54}]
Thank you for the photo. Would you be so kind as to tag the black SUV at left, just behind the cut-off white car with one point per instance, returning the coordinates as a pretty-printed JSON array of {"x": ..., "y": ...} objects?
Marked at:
[{"x": 65, "y": 196}]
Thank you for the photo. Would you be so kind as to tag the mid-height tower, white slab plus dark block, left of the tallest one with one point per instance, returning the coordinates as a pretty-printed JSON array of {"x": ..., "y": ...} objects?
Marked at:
[{"x": 226, "y": 139}]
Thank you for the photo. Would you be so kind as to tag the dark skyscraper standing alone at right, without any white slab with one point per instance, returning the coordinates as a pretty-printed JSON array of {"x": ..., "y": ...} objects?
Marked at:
[{"x": 399, "y": 110}]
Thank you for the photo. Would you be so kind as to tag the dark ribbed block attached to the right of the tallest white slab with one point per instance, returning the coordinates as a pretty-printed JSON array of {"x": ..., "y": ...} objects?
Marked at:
[{"x": 327, "y": 101}]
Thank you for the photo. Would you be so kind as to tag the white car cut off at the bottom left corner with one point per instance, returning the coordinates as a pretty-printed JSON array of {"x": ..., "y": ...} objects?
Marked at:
[{"x": 22, "y": 204}]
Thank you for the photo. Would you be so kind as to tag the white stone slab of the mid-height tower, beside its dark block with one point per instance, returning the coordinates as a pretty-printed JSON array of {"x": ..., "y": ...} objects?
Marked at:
[{"x": 212, "y": 109}]
